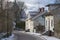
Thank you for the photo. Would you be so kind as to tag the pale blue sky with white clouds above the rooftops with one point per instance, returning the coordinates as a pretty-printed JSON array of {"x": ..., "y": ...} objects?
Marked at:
[{"x": 35, "y": 4}]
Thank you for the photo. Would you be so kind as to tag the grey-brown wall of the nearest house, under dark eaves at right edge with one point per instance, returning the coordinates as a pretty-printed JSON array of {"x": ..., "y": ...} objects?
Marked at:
[{"x": 54, "y": 10}]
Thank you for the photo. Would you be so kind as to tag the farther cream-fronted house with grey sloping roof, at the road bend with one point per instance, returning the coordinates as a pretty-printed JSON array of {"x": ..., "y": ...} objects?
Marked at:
[{"x": 34, "y": 20}]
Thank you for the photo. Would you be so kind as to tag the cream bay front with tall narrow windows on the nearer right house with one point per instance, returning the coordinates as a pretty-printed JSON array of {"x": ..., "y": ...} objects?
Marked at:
[{"x": 49, "y": 23}]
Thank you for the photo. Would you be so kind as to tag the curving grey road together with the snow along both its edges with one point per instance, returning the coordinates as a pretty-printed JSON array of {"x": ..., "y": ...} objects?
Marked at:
[{"x": 21, "y": 35}]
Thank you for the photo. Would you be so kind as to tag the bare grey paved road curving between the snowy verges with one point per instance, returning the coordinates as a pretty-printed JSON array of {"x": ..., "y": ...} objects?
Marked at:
[{"x": 25, "y": 36}]
